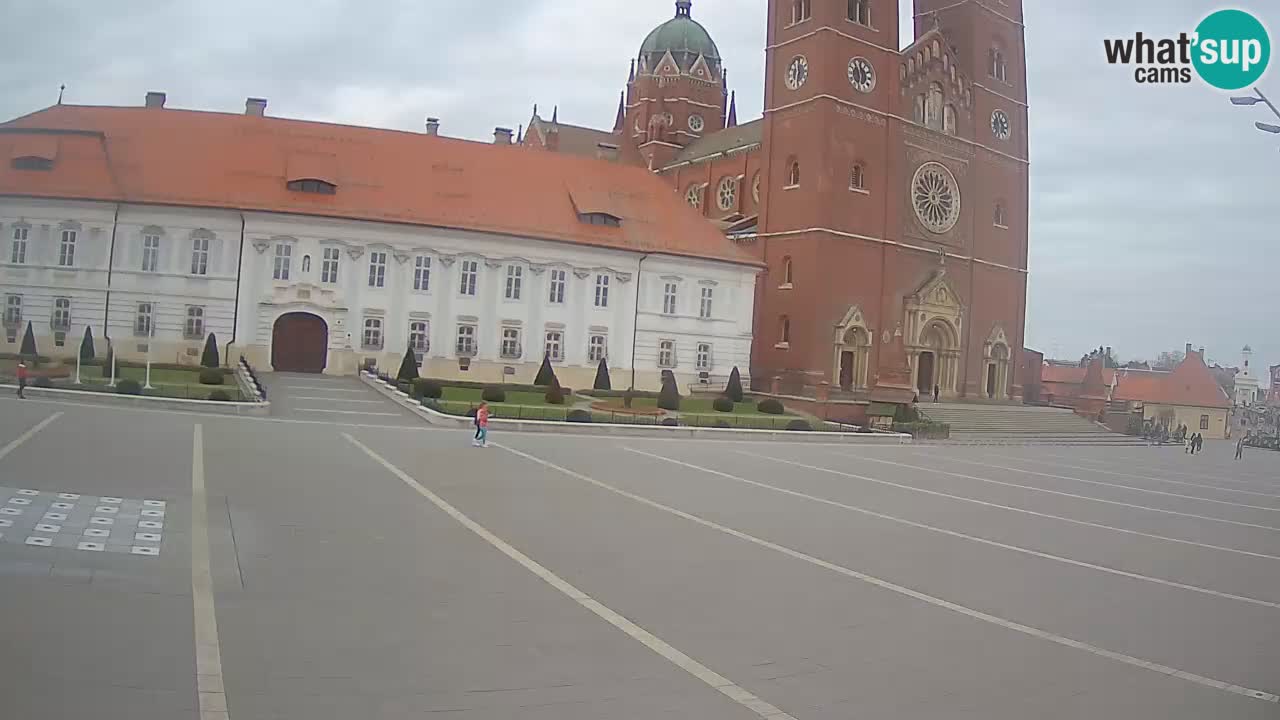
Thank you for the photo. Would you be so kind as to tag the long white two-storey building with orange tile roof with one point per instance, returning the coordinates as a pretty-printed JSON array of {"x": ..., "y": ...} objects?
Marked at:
[{"x": 319, "y": 248}]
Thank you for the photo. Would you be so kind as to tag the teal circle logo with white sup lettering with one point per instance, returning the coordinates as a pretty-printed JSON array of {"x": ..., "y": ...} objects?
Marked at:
[{"x": 1232, "y": 49}]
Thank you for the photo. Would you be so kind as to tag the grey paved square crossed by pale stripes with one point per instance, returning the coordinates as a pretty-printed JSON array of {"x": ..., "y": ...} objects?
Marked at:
[{"x": 371, "y": 572}]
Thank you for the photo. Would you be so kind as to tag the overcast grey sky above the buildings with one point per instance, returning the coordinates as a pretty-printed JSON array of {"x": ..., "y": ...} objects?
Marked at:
[{"x": 1153, "y": 218}]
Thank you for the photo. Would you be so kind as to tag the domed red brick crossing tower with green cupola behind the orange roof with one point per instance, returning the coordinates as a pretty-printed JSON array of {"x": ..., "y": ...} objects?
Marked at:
[{"x": 676, "y": 93}]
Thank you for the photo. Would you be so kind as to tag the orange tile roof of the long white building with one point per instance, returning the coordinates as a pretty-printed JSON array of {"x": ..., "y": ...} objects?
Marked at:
[{"x": 243, "y": 162}]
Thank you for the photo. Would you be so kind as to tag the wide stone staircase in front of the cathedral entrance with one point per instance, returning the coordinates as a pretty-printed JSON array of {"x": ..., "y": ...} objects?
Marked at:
[{"x": 1021, "y": 425}]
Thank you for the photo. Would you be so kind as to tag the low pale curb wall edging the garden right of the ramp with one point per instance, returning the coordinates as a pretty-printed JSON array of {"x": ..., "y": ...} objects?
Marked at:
[{"x": 441, "y": 420}]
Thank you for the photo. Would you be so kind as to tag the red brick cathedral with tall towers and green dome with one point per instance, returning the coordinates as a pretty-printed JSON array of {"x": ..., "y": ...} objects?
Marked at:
[{"x": 884, "y": 190}]
